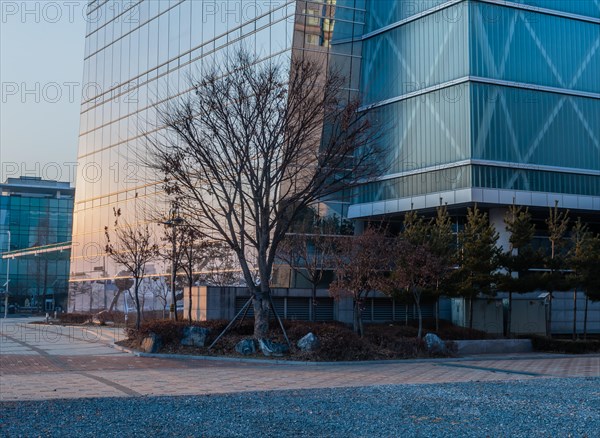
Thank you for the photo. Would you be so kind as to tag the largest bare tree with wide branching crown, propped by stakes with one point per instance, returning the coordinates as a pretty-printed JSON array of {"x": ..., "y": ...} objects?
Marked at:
[{"x": 253, "y": 146}]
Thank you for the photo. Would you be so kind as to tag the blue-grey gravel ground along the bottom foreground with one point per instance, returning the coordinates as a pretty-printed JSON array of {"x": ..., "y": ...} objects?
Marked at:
[{"x": 529, "y": 408}]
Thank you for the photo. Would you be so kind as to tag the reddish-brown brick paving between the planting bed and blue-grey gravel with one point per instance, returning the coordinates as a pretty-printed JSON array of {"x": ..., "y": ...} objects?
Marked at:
[{"x": 39, "y": 363}]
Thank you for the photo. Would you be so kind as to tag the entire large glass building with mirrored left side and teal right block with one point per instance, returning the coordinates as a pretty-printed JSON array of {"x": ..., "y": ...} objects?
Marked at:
[{"x": 482, "y": 101}]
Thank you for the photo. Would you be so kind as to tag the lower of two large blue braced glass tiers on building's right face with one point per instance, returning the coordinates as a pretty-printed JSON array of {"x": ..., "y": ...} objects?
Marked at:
[{"x": 532, "y": 127}]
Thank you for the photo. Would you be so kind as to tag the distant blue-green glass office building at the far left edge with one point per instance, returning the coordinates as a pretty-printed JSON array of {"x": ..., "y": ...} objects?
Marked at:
[{"x": 35, "y": 230}]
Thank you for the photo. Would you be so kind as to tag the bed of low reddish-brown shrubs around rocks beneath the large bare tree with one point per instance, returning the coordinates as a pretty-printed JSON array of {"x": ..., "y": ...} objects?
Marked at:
[{"x": 338, "y": 342}]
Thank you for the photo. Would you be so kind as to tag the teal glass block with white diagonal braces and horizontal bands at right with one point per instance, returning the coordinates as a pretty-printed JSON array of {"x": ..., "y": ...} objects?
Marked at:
[{"x": 484, "y": 94}]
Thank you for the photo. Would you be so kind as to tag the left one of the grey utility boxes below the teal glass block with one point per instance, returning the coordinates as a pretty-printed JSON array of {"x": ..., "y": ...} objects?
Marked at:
[{"x": 488, "y": 314}]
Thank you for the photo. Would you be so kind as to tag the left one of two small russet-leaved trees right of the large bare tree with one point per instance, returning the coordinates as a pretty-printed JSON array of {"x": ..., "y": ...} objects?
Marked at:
[{"x": 360, "y": 264}]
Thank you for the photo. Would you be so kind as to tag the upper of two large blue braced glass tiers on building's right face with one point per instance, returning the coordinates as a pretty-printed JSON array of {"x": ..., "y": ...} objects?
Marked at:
[{"x": 514, "y": 45}]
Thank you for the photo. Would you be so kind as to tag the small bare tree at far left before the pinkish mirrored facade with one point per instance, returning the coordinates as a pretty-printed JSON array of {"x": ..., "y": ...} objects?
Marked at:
[{"x": 132, "y": 247}]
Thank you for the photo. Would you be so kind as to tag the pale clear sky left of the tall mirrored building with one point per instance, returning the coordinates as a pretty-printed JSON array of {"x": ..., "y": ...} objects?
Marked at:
[{"x": 41, "y": 70}]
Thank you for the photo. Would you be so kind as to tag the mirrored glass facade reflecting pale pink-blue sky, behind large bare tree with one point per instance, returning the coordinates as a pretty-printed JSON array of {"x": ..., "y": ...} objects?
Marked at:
[{"x": 139, "y": 56}]
